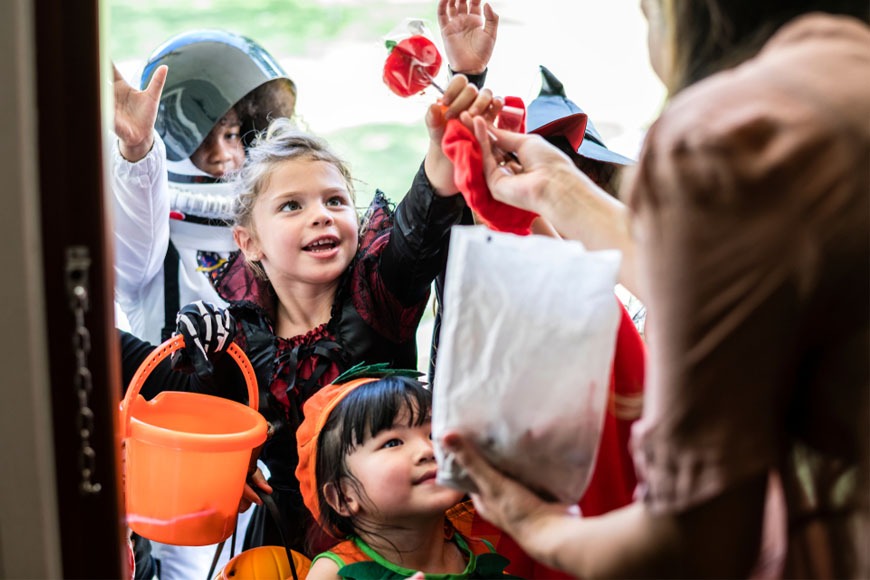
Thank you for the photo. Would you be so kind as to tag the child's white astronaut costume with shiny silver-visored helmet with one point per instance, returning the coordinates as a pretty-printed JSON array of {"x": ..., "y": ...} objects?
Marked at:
[{"x": 163, "y": 201}]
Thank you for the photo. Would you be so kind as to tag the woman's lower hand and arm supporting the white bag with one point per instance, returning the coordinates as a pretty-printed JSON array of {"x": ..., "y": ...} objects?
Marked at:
[{"x": 717, "y": 538}]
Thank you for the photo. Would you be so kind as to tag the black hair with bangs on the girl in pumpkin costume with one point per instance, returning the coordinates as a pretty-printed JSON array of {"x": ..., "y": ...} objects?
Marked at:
[{"x": 370, "y": 409}]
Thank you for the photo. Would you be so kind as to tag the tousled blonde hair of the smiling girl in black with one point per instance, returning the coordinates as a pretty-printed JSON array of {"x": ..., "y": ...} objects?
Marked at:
[{"x": 281, "y": 142}]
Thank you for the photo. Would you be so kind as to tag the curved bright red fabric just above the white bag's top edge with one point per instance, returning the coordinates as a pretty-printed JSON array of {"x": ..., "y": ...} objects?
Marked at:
[{"x": 462, "y": 148}]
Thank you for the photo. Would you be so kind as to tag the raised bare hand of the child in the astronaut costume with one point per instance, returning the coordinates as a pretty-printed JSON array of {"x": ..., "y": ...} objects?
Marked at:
[{"x": 135, "y": 113}]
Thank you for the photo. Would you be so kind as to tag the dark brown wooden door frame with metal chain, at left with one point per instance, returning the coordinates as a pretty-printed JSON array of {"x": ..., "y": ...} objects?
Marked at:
[{"x": 74, "y": 217}]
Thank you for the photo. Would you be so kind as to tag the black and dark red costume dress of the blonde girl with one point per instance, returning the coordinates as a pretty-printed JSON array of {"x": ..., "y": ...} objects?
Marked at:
[{"x": 374, "y": 319}]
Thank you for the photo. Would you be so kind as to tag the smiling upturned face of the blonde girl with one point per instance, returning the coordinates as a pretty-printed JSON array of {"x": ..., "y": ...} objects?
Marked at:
[{"x": 304, "y": 227}]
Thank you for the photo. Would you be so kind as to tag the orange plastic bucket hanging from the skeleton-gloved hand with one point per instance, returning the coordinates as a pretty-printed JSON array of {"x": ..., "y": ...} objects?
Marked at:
[{"x": 187, "y": 456}]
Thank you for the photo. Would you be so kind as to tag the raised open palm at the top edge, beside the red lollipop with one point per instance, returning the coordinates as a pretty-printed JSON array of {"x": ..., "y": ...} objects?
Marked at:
[{"x": 468, "y": 34}]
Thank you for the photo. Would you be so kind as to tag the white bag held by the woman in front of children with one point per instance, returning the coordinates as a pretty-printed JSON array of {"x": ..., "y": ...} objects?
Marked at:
[{"x": 525, "y": 356}]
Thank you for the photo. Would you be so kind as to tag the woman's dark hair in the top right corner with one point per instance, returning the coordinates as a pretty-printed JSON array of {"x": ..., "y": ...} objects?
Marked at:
[{"x": 706, "y": 36}]
